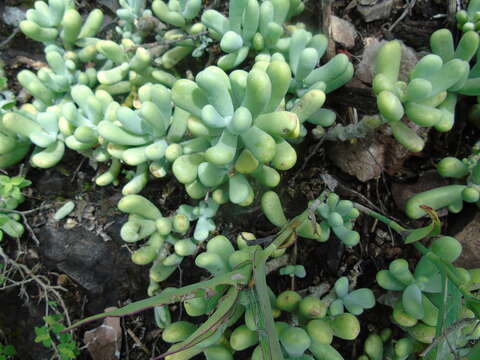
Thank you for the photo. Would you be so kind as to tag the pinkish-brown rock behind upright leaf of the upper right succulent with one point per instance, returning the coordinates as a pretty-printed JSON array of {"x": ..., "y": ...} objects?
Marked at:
[{"x": 366, "y": 67}]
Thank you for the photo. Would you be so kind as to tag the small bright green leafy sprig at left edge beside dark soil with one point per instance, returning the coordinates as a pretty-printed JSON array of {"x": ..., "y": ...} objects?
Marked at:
[{"x": 10, "y": 197}]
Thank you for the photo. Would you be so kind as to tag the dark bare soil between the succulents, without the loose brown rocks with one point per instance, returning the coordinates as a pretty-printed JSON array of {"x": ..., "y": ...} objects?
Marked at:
[{"x": 87, "y": 257}]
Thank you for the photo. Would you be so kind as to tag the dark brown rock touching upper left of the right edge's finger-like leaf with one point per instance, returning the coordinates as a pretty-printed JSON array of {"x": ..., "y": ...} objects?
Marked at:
[{"x": 428, "y": 180}]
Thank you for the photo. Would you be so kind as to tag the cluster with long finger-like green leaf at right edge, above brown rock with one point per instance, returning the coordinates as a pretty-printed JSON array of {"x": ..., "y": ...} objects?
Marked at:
[{"x": 466, "y": 174}]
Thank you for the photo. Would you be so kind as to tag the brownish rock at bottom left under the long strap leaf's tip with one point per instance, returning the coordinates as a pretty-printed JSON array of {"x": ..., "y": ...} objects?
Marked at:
[{"x": 105, "y": 342}]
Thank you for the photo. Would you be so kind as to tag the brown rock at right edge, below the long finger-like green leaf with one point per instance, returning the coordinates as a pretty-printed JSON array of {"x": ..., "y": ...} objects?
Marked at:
[{"x": 468, "y": 237}]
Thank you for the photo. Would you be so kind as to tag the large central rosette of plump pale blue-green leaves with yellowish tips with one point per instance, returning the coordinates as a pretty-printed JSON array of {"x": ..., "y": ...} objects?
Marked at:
[{"x": 243, "y": 135}]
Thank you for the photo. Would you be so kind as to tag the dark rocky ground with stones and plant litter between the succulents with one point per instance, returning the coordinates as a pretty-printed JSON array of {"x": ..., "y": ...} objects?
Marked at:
[{"x": 85, "y": 255}]
